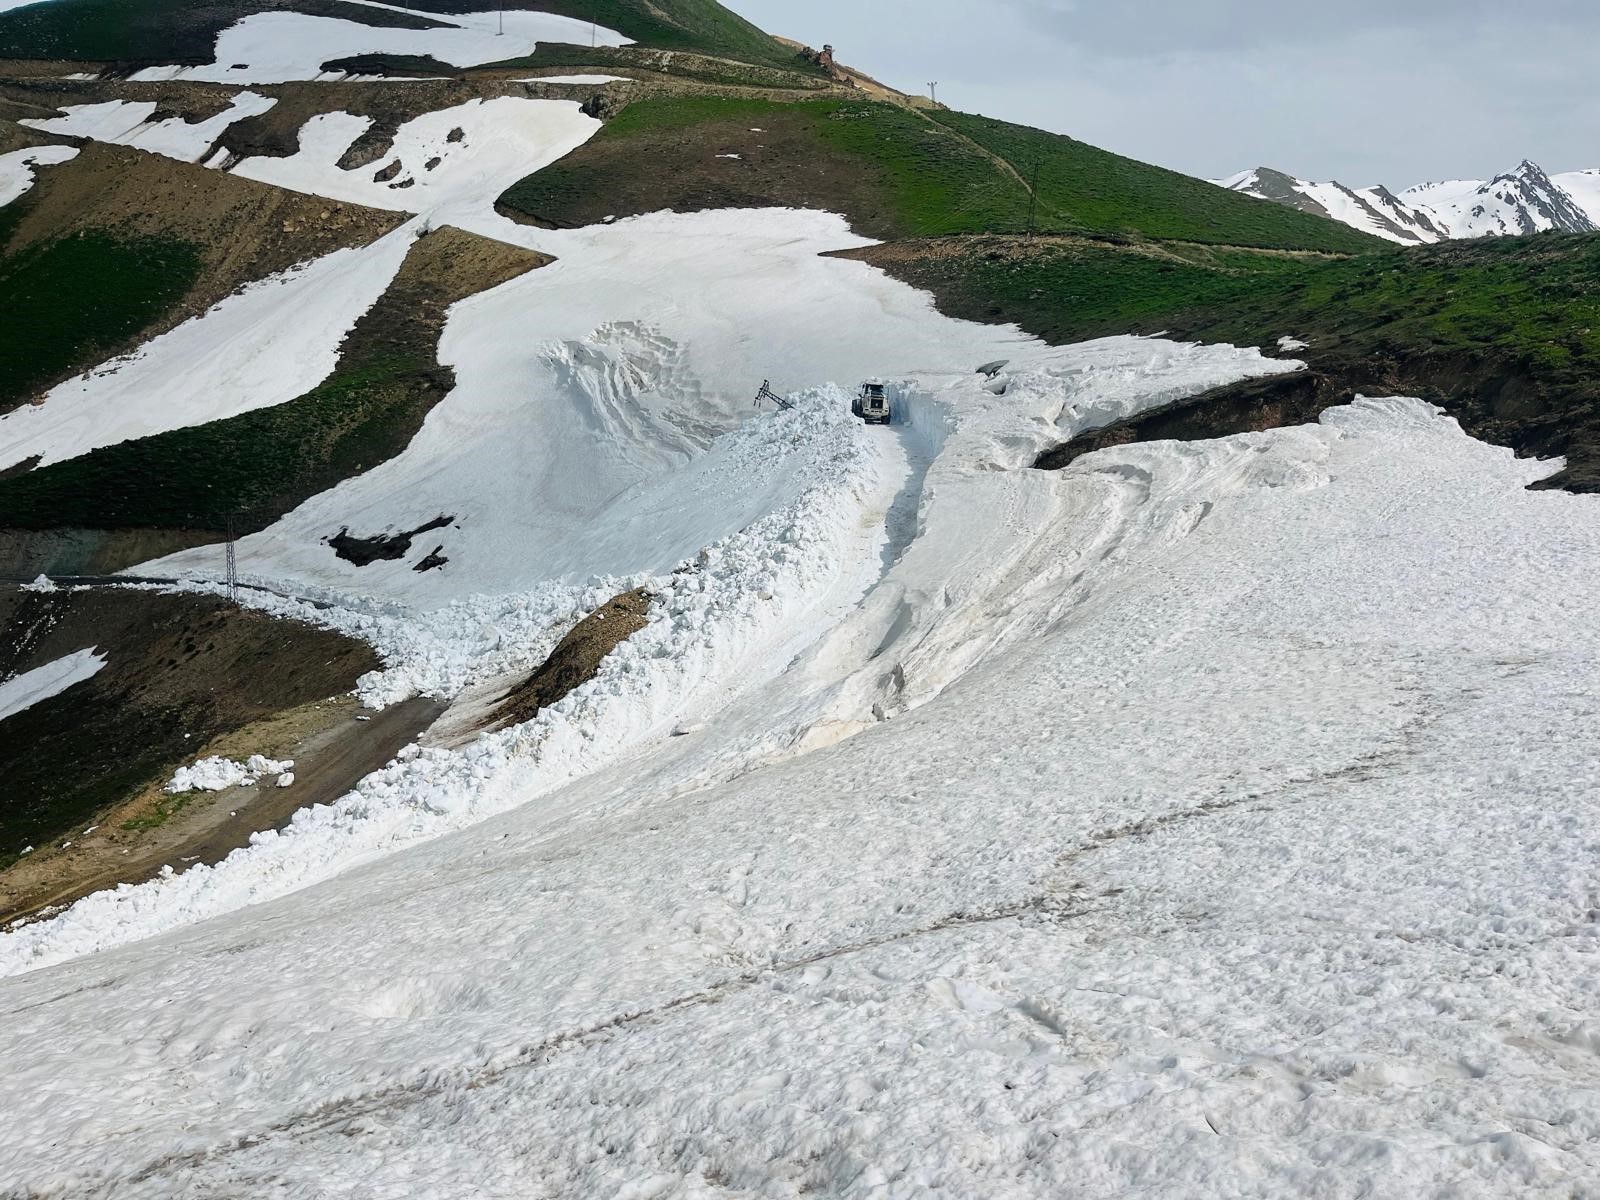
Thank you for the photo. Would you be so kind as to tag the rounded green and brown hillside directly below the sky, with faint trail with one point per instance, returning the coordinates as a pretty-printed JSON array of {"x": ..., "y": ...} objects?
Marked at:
[{"x": 895, "y": 174}]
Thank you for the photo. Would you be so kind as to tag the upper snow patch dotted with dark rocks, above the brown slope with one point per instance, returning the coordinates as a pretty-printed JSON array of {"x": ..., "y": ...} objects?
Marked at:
[{"x": 502, "y": 142}]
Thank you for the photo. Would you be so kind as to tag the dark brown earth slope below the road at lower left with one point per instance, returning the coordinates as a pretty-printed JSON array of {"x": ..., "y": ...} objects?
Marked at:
[{"x": 180, "y": 671}]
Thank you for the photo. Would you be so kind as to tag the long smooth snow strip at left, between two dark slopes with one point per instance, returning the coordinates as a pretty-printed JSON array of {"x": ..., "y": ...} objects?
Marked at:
[{"x": 258, "y": 348}]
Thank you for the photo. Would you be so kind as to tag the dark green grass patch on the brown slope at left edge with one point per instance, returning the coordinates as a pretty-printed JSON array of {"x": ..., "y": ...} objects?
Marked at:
[{"x": 81, "y": 298}]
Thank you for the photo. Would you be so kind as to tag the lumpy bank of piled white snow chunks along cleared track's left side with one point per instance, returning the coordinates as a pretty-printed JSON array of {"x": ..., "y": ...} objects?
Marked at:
[{"x": 714, "y": 626}]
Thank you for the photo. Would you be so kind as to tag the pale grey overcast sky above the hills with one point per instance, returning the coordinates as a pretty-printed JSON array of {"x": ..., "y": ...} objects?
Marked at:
[{"x": 1394, "y": 92}]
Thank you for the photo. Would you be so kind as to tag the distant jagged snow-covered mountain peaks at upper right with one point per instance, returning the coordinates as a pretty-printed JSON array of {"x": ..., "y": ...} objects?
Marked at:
[{"x": 1526, "y": 201}]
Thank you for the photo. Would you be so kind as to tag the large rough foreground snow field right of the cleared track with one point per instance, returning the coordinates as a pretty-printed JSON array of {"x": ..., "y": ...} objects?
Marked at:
[{"x": 1167, "y": 890}]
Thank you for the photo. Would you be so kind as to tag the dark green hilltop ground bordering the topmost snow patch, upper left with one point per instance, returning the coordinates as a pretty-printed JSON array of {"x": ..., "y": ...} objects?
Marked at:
[{"x": 185, "y": 31}]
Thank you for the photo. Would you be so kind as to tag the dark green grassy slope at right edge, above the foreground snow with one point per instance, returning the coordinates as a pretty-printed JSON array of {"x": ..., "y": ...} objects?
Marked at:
[{"x": 1505, "y": 334}]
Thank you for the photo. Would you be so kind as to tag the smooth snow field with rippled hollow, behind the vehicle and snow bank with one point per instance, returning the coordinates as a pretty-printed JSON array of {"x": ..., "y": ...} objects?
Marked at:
[{"x": 588, "y": 393}]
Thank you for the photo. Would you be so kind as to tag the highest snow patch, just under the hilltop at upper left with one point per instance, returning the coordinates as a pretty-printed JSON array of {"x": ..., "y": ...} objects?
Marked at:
[{"x": 282, "y": 47}]
